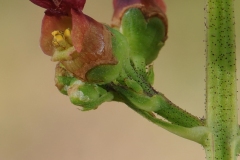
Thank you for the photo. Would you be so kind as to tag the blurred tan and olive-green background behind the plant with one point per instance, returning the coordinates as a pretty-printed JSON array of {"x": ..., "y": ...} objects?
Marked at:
[{"x": 39, "y": 123}]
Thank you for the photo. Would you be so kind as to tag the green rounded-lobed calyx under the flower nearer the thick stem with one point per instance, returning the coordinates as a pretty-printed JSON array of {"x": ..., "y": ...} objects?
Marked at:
[{"x": 145, "y": 36}]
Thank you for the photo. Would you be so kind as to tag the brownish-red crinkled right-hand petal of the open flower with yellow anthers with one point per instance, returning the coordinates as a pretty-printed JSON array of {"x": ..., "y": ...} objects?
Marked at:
[{"x": 92, "y": 40}]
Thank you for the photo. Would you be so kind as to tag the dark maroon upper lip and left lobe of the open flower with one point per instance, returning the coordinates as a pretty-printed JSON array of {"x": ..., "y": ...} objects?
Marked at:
[{"x": 57, "y": 17}]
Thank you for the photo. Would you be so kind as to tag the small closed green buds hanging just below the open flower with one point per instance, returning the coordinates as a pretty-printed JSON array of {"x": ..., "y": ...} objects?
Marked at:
[{"x": 87, "y": 95}]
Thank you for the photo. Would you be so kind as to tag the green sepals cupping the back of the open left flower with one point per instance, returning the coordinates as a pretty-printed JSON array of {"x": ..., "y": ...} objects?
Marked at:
[{"x": 106, "y": 73}]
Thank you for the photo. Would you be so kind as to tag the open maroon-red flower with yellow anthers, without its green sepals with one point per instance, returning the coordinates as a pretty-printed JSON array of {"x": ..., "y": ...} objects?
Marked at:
[{"x": 76, "y": 40}]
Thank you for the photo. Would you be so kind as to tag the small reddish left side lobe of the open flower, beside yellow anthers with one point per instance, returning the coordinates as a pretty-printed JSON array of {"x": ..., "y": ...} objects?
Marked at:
[{"x": 50, "y": 24}]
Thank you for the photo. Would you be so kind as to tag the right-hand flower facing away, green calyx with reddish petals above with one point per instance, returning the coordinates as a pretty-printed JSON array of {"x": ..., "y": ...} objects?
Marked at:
[{"x": 144, "y": 24}]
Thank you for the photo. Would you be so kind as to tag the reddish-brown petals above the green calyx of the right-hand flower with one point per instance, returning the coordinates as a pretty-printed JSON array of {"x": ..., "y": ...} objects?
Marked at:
[{"x": 149, "y": 8}]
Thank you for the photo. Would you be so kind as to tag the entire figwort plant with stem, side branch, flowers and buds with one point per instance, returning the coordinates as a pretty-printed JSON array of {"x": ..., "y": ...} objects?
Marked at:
[{"x": 99, "y": 62}]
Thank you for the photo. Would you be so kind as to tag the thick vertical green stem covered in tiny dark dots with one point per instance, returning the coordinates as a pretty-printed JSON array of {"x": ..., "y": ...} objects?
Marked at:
[{"x": 221, "y": 80}]
